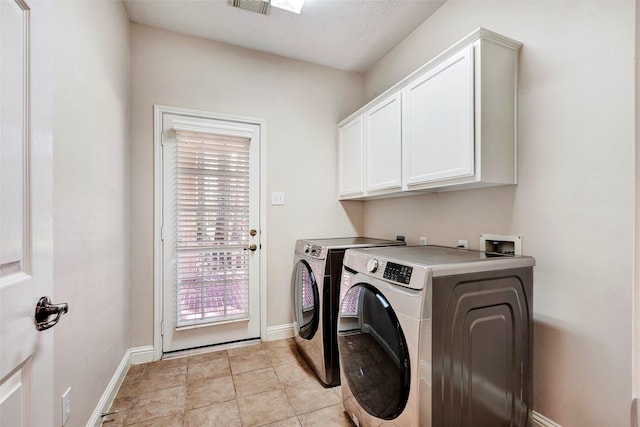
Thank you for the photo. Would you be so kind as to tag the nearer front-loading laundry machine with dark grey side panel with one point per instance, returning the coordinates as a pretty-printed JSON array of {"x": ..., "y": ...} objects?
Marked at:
[{"x": 435, "y": 336}]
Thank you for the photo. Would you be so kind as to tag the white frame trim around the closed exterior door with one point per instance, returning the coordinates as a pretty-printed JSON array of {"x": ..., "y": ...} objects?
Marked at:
[{"x": 158, "y": 111}]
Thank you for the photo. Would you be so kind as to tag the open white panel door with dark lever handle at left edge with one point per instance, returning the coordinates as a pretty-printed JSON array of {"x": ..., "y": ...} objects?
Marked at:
[{"x": 26, "y": 359}]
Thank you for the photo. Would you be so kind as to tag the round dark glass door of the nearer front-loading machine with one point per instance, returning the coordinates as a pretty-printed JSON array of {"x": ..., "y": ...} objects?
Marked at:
[{"x": 373, "y": 352}]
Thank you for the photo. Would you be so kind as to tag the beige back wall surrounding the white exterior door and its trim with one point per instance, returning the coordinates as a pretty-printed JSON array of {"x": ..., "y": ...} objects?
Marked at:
[{"x": 301, "y": 103}]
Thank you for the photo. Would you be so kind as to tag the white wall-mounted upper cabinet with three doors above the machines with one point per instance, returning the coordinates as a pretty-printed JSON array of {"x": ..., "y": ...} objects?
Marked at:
[{"x": 449, "y": 125}]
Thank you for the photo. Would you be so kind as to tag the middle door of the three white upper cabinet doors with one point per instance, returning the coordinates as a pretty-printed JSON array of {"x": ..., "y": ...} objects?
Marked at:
[{"x": 383, "y": 139}]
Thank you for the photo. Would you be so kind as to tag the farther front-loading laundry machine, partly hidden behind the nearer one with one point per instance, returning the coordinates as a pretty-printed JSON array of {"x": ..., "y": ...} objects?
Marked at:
[{"x": 316, "y": 282}]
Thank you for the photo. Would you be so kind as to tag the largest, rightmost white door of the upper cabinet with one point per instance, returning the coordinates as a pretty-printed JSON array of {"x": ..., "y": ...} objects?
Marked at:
[{"x": 439, "y": 122}]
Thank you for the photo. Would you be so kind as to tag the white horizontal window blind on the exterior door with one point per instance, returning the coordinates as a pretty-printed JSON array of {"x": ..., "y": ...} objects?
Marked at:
[{"x": 212, "y": 228}]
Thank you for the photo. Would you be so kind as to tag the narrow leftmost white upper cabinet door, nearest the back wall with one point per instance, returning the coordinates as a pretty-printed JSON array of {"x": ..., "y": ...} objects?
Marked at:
[{"x": 350, "y": 158}]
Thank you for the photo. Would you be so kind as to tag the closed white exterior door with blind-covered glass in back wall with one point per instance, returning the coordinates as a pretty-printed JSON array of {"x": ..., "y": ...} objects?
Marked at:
[{"x": 210, "y": 231}]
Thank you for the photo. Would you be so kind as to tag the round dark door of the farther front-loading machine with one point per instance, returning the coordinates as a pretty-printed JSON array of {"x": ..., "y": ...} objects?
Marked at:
[{"x": 306, "y": 304}]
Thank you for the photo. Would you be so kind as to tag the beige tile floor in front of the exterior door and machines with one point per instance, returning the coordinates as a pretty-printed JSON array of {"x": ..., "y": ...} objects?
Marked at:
[{"x": 267, "y": 384}]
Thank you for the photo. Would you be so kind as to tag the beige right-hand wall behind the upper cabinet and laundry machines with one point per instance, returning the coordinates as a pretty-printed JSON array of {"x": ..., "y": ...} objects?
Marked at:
[{"x": 574, "y": 204}]
